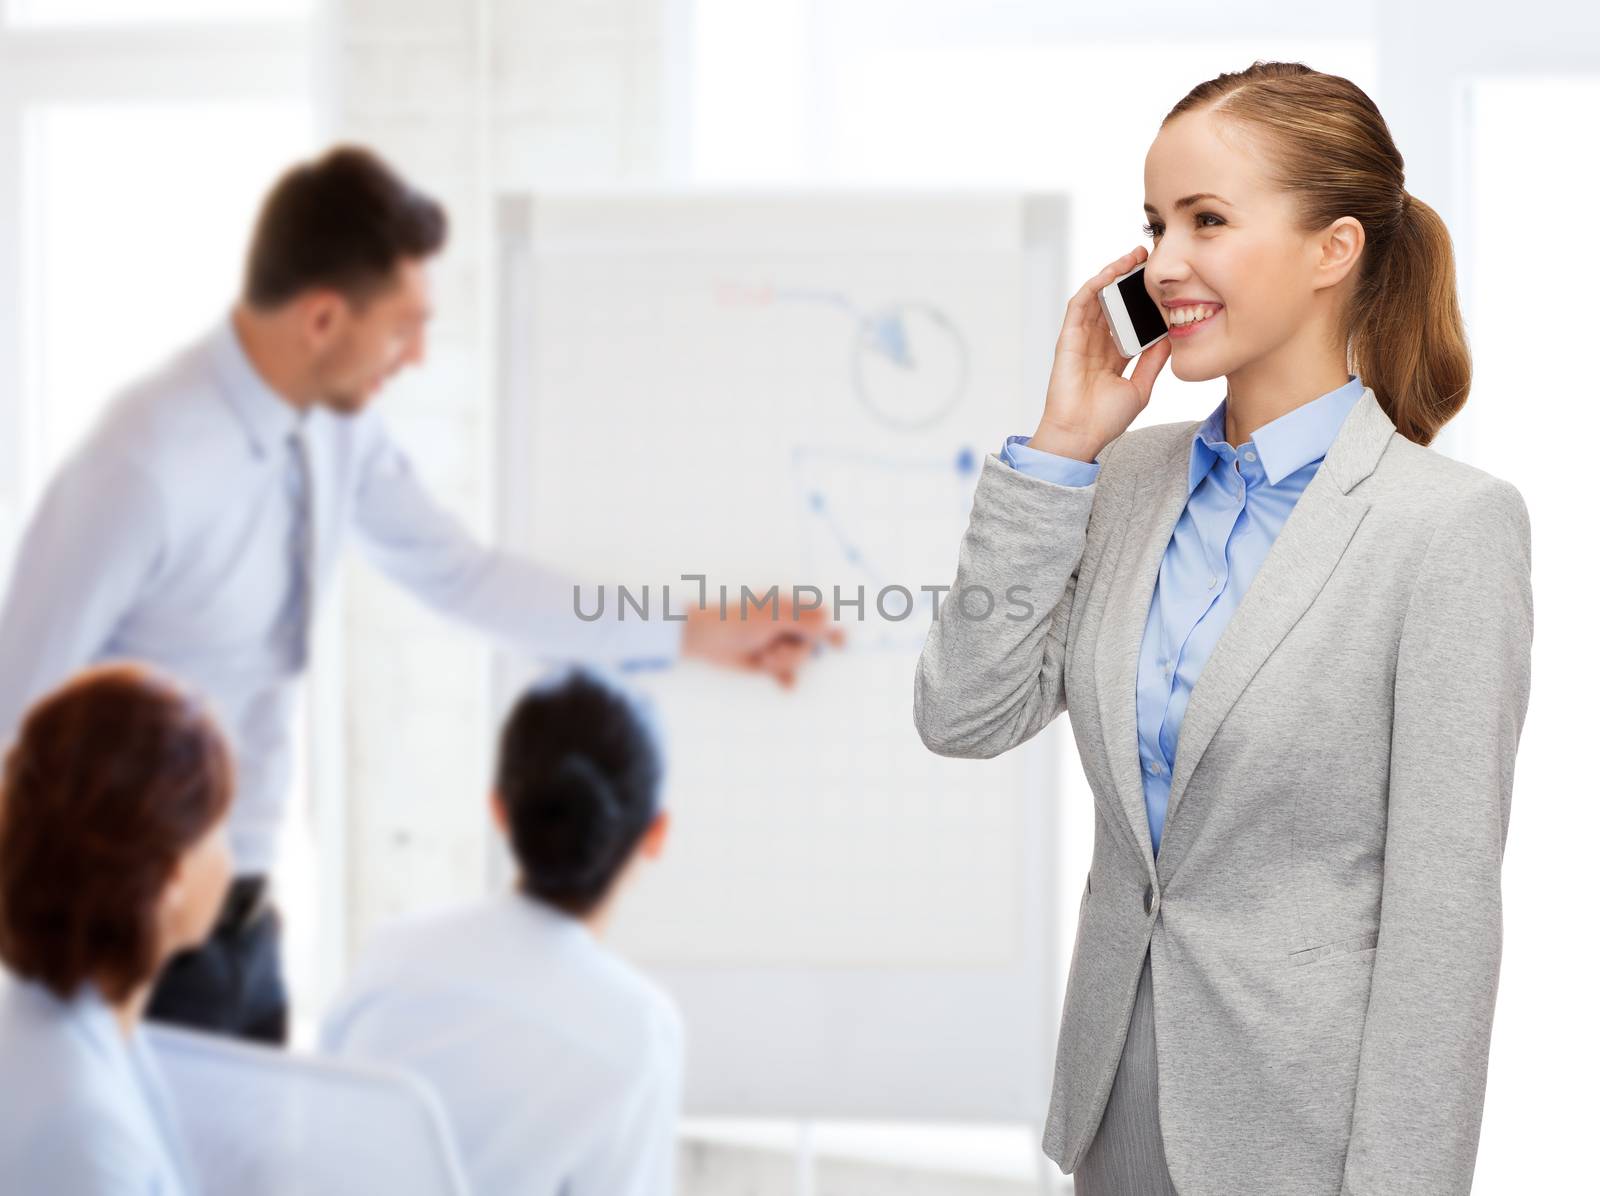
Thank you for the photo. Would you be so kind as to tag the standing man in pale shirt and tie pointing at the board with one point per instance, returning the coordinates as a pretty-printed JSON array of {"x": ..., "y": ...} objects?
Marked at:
[{"x": 202, "y": 519}]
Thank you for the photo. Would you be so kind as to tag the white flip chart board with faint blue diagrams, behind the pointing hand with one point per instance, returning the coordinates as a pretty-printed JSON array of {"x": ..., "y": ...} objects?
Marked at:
[{"x": 804, "y": 391}]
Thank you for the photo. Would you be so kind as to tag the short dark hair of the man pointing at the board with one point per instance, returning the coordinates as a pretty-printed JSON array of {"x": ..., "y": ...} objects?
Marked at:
[{"x": 345, "y": 221}]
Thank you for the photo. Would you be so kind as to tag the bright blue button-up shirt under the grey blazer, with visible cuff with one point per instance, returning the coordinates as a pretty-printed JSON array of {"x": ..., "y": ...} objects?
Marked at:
[{"x": 1239, "y": 501}]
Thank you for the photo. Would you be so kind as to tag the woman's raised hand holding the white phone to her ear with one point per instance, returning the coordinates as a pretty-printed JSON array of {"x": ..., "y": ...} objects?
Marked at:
[{"x": 1089, "y": 402}]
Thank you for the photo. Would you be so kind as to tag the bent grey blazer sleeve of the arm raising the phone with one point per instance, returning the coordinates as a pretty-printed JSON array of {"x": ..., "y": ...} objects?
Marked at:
[{"x": 991, "y": 671}]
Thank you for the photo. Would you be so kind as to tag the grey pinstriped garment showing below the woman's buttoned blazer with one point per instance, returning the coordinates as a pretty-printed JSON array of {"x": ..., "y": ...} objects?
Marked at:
[{"x": 1127, "y": 1158}]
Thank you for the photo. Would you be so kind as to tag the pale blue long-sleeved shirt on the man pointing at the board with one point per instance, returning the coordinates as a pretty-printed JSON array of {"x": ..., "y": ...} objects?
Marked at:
[{"x": 178, "y": 535}]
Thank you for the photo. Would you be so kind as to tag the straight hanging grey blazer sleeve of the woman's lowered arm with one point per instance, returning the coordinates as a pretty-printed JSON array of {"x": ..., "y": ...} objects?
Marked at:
[{"x": 1460, "y": 698}]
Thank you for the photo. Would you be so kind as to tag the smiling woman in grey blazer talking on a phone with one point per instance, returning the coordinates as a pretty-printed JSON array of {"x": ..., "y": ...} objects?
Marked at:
[{"x": 1294, "y": 645}]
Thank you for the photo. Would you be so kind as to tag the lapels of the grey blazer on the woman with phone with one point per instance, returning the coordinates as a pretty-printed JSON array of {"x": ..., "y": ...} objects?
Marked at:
[{"x": 1294, "y": 572}]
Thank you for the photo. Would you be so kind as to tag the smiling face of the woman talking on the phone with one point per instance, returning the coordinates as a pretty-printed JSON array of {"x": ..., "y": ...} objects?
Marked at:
[{"x": 1234, "y": 250}]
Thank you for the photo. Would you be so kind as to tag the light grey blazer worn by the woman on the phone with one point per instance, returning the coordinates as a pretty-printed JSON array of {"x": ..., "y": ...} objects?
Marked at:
[{"x": 1326, "y": 915}]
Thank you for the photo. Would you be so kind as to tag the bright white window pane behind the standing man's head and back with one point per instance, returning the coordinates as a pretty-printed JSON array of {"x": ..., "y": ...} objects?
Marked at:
[{"x": 137, "y": 223}]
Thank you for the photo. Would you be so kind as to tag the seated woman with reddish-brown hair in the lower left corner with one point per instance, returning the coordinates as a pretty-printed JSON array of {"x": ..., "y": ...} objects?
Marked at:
[{"x": 113, "y": 858}]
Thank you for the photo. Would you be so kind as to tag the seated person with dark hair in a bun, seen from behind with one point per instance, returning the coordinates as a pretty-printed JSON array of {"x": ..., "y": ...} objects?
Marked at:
[{"x": 558, "y": 1062}]
